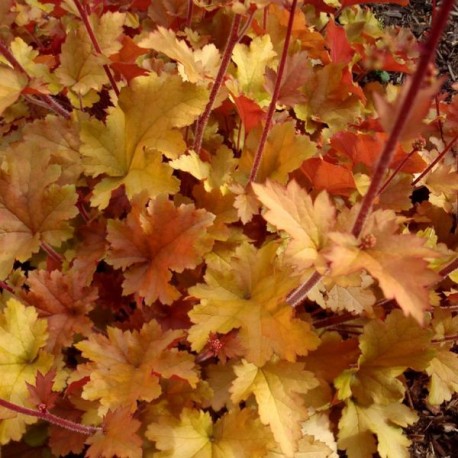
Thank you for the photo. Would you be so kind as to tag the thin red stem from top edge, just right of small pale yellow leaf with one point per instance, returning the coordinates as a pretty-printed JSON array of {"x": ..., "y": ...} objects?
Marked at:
[{"x": 276, "y": 93}]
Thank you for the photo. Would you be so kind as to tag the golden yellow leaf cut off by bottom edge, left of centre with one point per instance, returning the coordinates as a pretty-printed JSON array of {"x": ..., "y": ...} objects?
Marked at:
[{"x": 238, "y": 434}]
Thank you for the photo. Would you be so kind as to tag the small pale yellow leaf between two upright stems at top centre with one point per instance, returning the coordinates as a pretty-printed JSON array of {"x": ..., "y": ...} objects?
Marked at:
[{"x": 252, "y": 62}]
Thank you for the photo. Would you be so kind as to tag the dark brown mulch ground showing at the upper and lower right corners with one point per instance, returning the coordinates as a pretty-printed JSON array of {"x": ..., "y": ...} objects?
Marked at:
[{"x": 436, "y": 433}]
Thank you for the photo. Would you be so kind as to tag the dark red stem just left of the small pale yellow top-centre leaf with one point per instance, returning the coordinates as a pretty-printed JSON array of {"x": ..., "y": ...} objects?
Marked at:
[{"x": 233, "y": 39}]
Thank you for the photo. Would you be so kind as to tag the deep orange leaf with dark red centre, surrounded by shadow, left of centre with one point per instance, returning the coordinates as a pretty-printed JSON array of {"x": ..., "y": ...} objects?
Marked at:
[{"x": 155, "y": 240}]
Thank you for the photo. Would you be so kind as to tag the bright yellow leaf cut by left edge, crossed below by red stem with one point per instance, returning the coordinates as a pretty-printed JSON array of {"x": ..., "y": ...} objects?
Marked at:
[{"x": 22, "y": 338}]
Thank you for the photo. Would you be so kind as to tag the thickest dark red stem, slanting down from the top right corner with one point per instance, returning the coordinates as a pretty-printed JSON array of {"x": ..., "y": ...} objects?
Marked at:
[{"x": 406, "y": 107}]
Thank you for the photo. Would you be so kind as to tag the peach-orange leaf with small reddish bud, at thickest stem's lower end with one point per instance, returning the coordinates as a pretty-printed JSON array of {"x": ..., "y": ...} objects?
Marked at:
[{"x": 397, "y": 261}]
